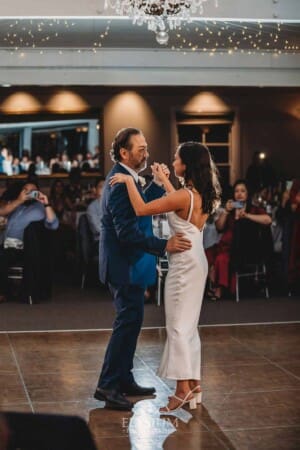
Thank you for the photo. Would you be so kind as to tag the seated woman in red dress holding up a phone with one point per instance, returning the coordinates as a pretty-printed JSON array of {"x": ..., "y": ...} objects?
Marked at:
[{"x": 240, "y": 208}]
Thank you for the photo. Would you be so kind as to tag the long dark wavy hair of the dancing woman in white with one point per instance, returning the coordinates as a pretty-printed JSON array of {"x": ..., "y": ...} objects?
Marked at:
[{"x": 202, "y": 173}]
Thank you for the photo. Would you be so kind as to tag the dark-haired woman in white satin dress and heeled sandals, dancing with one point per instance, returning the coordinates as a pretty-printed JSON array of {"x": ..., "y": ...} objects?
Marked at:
[{"x": 188, "y": 209}]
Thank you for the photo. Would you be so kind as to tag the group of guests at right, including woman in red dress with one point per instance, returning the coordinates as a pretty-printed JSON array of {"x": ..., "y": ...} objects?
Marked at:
[{"x": 275, "y": 208}]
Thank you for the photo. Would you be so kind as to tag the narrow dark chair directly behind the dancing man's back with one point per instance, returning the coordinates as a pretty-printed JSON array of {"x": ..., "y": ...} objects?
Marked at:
[{"x": 85, "y": 247}]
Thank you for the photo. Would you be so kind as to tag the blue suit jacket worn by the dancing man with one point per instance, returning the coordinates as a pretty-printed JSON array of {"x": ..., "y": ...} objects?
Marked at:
[{"x": 127, "y": 247}]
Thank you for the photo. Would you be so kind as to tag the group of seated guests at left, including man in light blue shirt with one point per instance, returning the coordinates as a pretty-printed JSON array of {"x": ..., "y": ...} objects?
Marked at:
[{"x": 24, "y": 204}]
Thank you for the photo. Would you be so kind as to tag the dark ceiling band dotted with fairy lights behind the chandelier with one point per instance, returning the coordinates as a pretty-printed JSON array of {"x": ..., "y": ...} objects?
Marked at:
[{"x": 200, "y": 35}]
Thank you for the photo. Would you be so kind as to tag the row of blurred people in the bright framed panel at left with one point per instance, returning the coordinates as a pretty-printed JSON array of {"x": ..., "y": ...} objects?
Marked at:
[{"x": 61, "y": 163}]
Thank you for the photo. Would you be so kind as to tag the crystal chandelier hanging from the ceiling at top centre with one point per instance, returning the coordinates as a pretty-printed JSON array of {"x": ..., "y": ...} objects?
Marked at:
[{"x": 159, "y": 15}]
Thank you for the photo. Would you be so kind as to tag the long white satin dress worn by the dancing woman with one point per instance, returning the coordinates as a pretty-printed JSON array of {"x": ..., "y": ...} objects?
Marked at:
[{"x": 184, "y": 288}]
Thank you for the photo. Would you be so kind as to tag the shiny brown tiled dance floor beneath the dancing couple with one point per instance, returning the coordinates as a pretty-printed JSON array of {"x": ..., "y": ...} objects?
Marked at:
[{"x": 251, "y": 384}]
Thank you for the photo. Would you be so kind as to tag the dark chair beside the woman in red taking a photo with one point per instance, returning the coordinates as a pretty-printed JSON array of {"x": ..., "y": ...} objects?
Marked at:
[{"x": 252, "y": 248}]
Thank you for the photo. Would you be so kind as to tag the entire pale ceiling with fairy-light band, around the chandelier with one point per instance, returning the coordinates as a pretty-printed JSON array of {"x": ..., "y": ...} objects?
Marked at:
[{"x": 68, "y": 42}]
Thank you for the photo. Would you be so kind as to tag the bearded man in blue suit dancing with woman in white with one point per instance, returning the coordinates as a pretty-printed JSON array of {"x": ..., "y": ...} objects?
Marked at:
[{"x": 127, "y": 255}]
